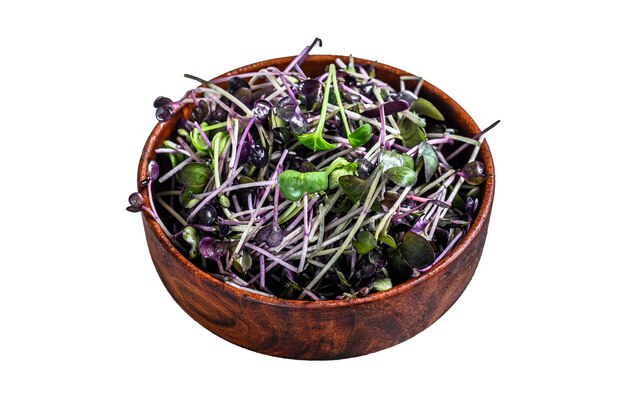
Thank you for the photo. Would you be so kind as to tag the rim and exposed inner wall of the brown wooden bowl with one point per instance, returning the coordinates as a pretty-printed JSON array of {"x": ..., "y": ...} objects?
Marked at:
[{"x": 315, "y": 65}]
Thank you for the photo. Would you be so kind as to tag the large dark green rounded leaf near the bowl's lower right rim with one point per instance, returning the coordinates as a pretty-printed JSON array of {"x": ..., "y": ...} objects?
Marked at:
[{"x": 415, "y": 252}]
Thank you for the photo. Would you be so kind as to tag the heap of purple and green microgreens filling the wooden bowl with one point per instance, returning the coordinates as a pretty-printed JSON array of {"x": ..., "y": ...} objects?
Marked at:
[{"x": 311, "y": 187}]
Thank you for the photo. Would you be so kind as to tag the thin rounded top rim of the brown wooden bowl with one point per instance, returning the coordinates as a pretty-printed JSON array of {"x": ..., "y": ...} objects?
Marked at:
[{"x": 477, "y": 225}]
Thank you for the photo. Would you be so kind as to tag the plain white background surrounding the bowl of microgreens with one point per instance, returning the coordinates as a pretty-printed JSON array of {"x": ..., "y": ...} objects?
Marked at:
[{"x": 83, "y": 312}]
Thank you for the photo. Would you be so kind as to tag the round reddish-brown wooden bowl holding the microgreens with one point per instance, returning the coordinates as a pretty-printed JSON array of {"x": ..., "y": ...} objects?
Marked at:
[{"x": 331, "y": 329}]
